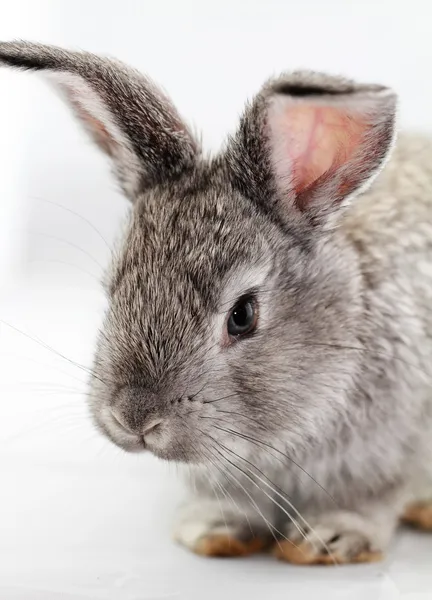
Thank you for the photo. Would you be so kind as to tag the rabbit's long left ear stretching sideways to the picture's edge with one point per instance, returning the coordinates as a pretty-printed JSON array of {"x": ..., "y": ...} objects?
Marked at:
[{"x": 126, "y": 115}]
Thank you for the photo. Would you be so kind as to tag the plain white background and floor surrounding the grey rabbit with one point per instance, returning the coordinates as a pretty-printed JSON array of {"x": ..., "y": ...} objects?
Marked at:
[{"x": 79, "y": 520}]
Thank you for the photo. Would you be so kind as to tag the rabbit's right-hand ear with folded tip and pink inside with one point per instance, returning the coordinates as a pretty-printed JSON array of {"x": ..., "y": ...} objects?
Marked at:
[{"x": 309, "y": 142}]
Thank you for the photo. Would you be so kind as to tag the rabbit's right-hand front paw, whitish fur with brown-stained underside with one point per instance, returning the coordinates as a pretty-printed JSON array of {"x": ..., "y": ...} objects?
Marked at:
[{"x": 334, "y": 538}]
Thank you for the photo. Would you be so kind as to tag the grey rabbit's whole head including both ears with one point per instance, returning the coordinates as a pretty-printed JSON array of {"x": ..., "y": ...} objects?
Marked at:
[{"x": 235, "y": 300}]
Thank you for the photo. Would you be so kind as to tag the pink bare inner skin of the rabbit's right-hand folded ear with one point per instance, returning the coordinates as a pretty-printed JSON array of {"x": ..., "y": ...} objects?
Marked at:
[{"x": 311, "y": 140}]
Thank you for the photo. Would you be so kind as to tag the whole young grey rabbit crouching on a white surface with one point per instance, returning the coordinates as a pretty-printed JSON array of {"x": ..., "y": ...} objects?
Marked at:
[{"x": 270, "y": 308}]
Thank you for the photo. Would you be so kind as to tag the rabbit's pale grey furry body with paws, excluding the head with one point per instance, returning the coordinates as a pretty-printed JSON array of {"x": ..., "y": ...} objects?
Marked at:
[{"x": 378, "y": 459}]
